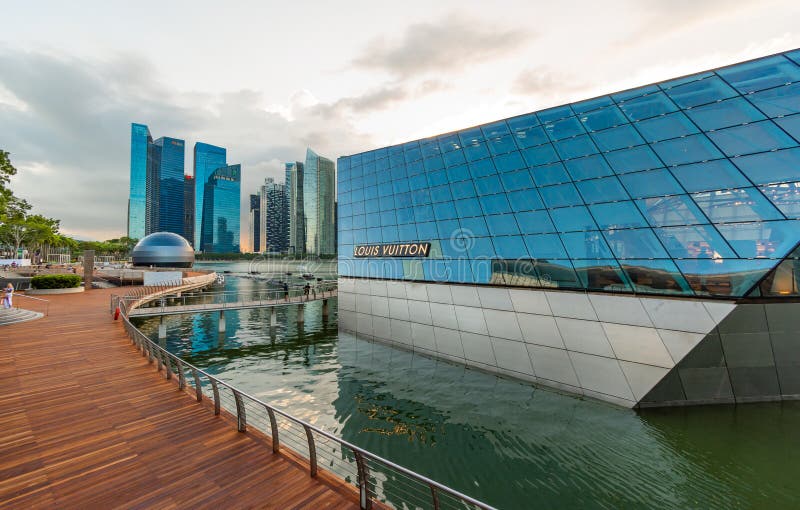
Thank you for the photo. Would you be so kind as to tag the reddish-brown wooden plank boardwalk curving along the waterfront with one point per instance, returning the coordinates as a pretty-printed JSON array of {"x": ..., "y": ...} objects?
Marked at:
[{"x": 86, "y": 422}]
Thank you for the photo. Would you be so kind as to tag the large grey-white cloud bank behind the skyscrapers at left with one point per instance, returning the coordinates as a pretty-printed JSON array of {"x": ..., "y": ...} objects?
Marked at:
[{"x": 68, "y": 131}]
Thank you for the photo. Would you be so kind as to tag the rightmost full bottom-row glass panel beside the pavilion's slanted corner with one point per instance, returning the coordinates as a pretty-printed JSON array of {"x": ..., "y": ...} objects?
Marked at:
[{"x": 730, "y": 277}]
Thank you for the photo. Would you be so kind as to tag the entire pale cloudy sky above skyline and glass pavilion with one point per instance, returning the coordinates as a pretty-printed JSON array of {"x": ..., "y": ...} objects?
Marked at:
[{"x": 266, "y": 79}]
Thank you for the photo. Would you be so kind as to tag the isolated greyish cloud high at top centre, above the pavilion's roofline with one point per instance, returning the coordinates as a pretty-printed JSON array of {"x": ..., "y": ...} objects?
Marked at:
[{"x": 453, "y": 43}]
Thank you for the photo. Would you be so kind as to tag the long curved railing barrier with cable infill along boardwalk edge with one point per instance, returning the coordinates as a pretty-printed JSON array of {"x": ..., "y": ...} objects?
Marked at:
[{"x": 379, "y": 481}]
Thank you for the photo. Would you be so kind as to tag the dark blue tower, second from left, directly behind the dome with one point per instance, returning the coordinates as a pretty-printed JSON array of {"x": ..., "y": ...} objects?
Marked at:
[{"x": 164, "y": 185}]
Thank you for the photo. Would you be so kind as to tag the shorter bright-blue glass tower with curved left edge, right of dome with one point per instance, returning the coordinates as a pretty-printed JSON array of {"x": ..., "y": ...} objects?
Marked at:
[{"x": 220, "y": 223}]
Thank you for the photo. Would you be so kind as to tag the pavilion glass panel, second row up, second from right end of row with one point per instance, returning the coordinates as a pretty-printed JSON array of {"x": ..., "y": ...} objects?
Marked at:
[{"x": 696, "y": 242}]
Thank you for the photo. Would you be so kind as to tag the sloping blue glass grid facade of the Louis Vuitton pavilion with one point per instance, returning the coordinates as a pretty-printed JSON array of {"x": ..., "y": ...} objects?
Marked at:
[{"x": 689, "y": 187}]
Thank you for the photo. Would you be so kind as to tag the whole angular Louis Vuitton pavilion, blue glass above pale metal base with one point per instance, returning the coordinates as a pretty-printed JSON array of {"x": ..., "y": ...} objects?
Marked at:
[{"x": 639, "y": 247}]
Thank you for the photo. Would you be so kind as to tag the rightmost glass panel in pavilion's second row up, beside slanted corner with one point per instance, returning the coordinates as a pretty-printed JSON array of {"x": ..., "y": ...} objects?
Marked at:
[{"x": 770, "y": 239}]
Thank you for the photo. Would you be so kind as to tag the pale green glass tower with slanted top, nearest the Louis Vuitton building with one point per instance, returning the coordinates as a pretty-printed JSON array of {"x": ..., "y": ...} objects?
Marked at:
[{"x": 319, "y": 192}]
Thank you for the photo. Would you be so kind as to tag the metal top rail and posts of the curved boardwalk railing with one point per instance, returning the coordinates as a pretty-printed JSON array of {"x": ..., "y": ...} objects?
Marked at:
[{"x": 433, "y": 490}]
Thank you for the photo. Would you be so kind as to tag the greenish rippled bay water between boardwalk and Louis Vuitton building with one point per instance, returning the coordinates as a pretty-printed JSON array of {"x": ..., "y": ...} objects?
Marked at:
[{"x": 509, "y": 444}]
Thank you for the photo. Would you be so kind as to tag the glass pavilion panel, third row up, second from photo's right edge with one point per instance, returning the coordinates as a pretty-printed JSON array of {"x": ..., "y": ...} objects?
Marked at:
[{"x": 746, "y": 204}]
